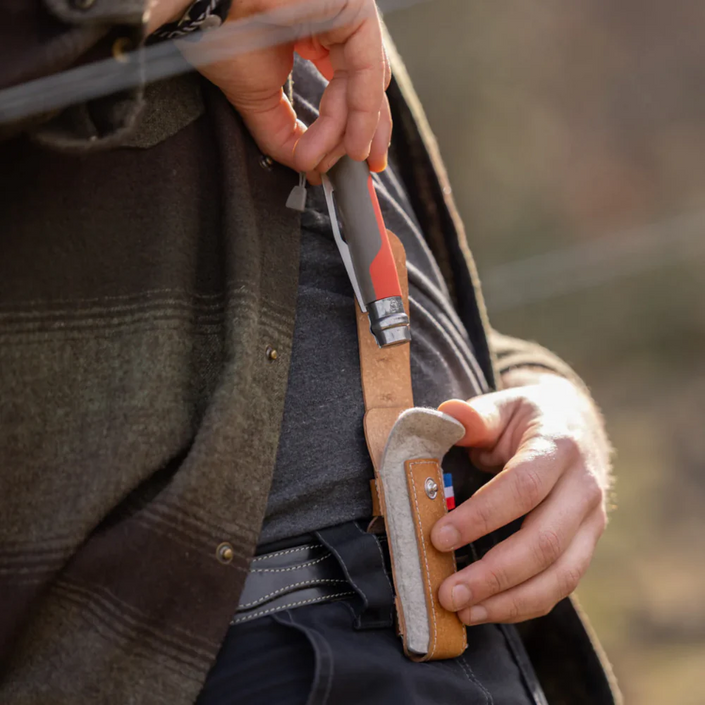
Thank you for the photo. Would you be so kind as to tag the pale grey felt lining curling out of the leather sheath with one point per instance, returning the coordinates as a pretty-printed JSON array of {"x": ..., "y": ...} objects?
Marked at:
[{"x": 418, "y": 433}]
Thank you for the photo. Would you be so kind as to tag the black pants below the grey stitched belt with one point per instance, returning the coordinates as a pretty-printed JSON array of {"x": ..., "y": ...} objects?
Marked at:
[{"x": 347, "y": 652}]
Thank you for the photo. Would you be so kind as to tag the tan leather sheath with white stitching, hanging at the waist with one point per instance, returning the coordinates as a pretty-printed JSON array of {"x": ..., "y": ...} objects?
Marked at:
[{"x": 386, "y": 387}]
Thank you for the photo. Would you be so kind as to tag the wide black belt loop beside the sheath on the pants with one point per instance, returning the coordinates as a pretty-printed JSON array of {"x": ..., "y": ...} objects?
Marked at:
[{"x": 361, "y": 558}]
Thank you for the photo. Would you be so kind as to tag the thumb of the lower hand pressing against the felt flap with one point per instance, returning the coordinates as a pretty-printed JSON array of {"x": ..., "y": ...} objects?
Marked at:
[{"x": 485, "y": 417}]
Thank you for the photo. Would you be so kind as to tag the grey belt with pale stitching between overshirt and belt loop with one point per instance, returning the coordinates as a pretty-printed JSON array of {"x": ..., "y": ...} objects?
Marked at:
[{"x": 292, "y": 577}]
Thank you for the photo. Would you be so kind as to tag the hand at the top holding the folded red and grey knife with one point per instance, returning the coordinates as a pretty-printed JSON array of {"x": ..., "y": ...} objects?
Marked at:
[{"x": 355, "y": 118}]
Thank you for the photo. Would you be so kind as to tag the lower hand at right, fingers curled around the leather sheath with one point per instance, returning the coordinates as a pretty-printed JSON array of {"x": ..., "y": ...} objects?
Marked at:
[{"x": 549, "y": 440}]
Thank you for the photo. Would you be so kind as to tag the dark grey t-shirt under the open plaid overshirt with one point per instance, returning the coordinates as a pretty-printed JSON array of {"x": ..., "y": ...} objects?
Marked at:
[{"x": 323, "y": 469}]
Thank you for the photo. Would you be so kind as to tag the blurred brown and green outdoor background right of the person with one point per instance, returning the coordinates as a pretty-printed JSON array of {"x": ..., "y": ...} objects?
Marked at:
[{"x": 574, "y": 134}]
